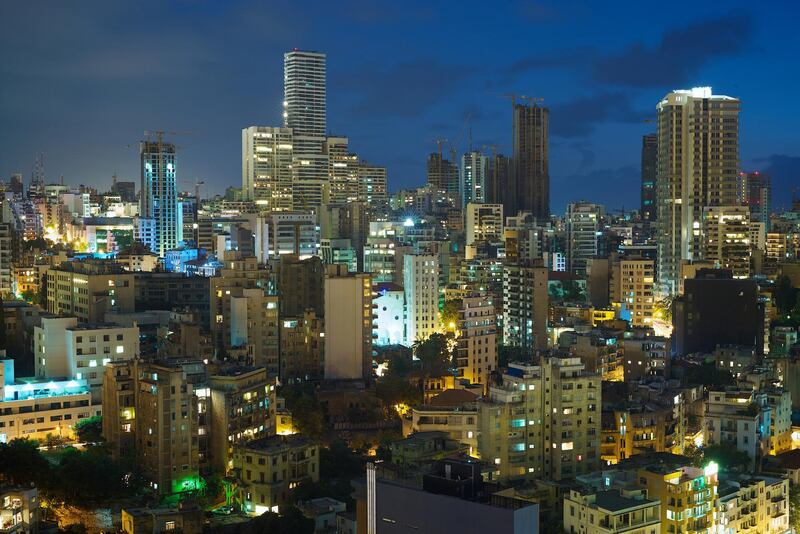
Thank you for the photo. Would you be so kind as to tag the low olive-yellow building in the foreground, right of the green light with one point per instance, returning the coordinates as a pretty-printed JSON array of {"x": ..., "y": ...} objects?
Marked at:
[{"x": 269, "y": 468}]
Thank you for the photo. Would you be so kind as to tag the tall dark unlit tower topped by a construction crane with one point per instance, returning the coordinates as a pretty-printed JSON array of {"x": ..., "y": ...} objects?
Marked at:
[{"x": 531, "y": 167}]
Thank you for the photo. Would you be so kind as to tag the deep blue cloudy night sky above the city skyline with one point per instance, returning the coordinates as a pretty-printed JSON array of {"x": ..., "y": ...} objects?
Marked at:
[{"x": 82, "y": 80}]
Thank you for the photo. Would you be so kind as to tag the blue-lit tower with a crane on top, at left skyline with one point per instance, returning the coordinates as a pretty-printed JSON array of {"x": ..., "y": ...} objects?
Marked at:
[{"x": 158, "y": 198}]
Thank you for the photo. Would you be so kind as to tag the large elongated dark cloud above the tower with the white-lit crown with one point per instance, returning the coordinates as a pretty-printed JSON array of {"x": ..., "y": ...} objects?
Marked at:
[{"x": 680, "y": 54}]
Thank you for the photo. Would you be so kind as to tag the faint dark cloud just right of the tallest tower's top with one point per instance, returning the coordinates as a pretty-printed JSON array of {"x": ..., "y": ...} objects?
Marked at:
[{"x": 406, "y": 89}]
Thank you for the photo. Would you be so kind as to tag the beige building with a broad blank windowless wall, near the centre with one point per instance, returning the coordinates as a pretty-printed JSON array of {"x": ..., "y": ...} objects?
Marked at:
[{"x": 348, "y": 321}]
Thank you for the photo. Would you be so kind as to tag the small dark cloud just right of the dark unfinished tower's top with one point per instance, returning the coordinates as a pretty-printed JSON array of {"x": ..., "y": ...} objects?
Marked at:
[{"x": 577, "y": 118}]
